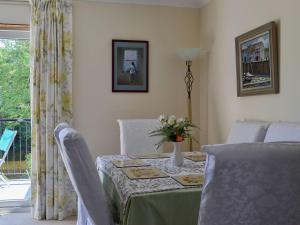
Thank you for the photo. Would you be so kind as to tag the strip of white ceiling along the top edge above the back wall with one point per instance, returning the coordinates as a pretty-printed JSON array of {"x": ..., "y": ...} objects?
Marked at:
[{"x": 177, "y": 3}]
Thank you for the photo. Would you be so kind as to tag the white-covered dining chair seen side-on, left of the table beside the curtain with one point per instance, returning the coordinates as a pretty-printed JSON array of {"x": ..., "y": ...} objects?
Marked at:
[{"x": 92, "y": 206}]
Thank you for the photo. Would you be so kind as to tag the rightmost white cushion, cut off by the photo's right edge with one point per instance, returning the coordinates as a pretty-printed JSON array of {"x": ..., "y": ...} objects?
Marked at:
[{"x": 283, "y": 132}]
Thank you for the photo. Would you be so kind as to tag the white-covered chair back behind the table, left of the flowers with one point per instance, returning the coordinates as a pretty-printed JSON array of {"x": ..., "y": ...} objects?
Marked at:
[{"x": 134, "y": 136}]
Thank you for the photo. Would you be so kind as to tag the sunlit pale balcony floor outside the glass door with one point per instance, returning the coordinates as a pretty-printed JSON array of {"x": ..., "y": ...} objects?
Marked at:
[{"x": 18, "y": 190}]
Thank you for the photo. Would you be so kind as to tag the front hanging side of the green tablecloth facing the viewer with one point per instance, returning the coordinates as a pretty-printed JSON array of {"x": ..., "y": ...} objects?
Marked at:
[{"x": 176, "y": 207}]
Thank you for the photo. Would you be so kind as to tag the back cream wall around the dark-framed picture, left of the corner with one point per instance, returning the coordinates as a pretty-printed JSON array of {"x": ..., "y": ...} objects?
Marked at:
[{"x": 96, "y": 108}]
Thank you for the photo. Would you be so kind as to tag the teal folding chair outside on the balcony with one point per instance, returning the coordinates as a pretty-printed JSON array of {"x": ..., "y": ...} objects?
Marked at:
[{"x": 6, "y": 141}]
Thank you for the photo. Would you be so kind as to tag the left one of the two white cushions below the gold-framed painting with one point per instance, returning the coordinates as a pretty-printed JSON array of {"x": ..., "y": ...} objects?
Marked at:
[{"x": 247, "y": 132}]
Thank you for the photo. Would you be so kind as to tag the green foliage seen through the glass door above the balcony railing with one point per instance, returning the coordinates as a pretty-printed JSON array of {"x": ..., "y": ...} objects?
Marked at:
[{"x": 14, "y": 79}]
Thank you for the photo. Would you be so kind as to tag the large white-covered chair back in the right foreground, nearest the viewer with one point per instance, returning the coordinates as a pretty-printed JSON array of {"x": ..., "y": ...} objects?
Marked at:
[{"x": 251, "y": 183}]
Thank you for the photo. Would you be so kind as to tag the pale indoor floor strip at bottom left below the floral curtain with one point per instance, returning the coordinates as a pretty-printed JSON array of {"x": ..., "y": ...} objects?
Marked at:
[{"x": 25, "y": 219}]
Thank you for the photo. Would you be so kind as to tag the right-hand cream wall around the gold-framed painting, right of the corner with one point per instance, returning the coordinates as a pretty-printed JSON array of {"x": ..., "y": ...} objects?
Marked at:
[{"x": 220, "y": 22}]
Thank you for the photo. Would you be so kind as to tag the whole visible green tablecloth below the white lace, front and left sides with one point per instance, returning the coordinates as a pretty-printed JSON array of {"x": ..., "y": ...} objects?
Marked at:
[{"x": 170, "y": 207}]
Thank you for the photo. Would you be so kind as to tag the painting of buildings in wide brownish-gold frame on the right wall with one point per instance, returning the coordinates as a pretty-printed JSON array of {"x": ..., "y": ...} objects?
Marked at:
[{"x": 257, "y": 61}]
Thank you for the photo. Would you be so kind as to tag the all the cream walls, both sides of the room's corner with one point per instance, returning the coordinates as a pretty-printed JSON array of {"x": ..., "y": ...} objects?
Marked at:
[{"x": 96, "y": 108}]
